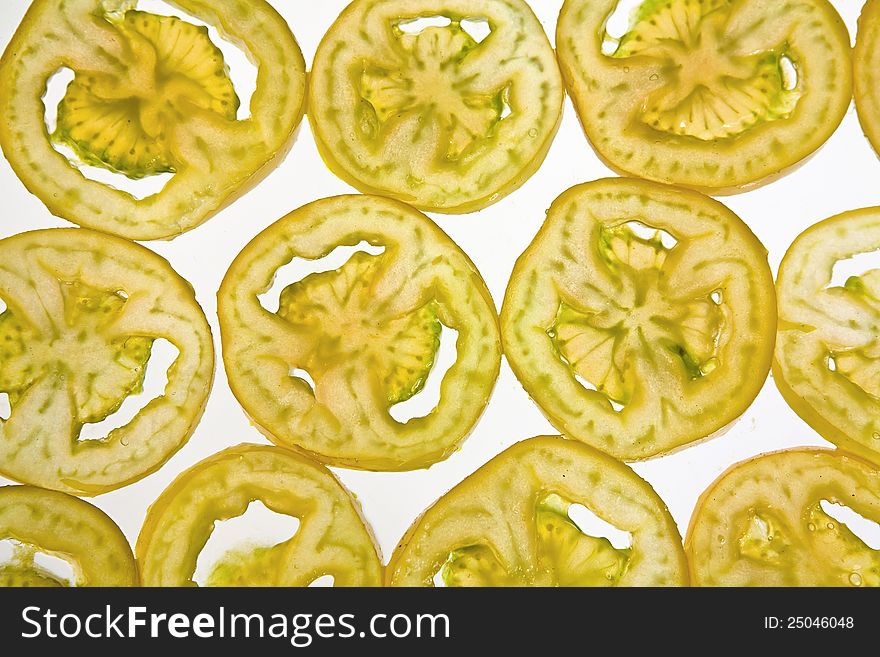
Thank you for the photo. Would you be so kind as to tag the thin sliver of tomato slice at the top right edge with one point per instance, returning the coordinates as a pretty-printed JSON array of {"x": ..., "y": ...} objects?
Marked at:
[{"x": 866, "y": 69}]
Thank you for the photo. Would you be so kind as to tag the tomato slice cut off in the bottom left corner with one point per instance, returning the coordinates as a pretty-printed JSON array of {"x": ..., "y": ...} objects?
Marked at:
[{"x": 65, "y": 527}]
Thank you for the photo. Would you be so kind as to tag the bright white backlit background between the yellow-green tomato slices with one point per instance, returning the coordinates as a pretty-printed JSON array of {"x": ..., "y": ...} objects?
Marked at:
[{"x": 842, "y": 176}]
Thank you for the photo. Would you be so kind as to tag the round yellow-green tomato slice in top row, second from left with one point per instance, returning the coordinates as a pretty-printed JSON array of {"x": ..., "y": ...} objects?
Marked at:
[{"x": 434, "y": 116}]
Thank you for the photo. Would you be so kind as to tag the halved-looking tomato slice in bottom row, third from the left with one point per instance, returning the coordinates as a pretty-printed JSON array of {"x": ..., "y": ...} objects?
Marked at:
[{"x": 508, "y": 525}]
